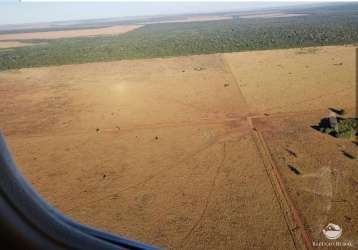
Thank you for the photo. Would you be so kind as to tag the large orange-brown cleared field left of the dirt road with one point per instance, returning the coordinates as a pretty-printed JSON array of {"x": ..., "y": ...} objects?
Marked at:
[{"x": 150, "y": 142}]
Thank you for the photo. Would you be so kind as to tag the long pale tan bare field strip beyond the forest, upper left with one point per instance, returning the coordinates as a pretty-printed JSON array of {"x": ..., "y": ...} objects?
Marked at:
[{"x": 113, "y": 30}]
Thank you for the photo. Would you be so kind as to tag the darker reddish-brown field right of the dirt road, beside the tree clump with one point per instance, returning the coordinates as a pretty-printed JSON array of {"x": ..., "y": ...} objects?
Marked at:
[{"x": 325, "y": 188}]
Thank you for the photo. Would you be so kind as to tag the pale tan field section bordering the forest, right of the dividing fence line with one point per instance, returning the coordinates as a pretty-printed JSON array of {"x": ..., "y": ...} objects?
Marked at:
[{"x": 296, "y": 79}]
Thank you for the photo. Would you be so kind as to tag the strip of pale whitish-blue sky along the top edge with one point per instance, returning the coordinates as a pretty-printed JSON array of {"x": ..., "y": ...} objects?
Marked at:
[{"x": 14, "y": 12}]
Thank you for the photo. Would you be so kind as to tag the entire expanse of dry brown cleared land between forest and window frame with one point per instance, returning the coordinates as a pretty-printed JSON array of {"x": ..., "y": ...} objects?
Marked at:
[{"x": 179, "y": 152}]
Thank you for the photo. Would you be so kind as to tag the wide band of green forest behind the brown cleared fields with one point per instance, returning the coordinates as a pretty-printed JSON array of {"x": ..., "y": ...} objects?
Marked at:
[{"x": 332, "y": 26}]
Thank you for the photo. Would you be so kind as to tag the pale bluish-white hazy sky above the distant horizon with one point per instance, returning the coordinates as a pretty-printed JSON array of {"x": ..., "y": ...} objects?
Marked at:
[{"x": 9, "y": 17}]
